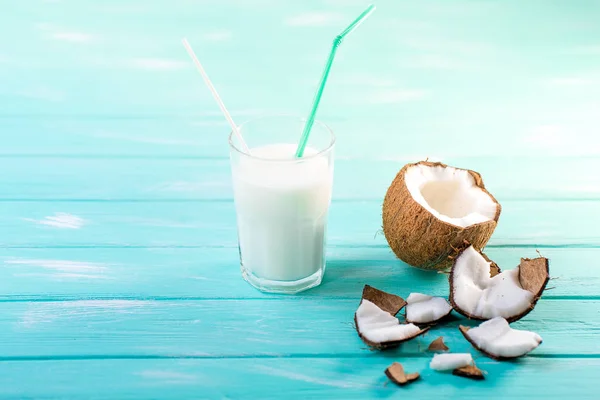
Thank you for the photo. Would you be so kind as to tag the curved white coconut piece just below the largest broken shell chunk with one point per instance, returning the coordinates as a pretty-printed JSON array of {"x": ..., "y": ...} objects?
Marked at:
[{"x": 498, "y": 340}]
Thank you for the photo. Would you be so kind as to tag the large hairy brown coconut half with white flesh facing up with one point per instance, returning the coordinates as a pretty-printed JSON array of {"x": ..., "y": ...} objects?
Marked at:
[{"x": 431, "y": 208}]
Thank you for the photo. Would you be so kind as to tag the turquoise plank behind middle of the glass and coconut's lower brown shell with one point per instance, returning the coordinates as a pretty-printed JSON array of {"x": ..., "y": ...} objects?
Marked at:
[{"x": 203, "y": 224}]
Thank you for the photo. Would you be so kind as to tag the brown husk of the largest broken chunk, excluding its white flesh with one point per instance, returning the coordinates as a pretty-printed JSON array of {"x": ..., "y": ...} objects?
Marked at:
[{"x": 534, "y": 275}]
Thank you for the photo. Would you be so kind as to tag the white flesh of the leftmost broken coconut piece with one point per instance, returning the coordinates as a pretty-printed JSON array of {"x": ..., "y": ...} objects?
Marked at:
[{"x": 378, "y": 326}]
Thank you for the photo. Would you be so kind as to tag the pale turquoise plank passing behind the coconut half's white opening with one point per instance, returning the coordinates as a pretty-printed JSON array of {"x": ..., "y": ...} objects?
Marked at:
[{"x": 532, "y": 178}]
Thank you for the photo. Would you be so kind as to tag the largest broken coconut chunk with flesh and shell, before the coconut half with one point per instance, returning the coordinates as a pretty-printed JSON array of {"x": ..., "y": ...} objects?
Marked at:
[{"x": 476, "y": 294}]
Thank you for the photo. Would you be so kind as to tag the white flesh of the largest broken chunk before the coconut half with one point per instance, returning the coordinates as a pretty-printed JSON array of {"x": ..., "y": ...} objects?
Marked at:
[{"x": 478, "y": 295}]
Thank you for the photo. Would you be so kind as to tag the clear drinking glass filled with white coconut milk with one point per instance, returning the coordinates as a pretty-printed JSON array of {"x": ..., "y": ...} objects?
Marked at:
[{"x": 282, "y": 202}]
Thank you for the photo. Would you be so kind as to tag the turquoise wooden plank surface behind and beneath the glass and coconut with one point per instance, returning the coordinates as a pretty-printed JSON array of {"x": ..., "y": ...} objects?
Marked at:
[{"x": 119, "y": 273}]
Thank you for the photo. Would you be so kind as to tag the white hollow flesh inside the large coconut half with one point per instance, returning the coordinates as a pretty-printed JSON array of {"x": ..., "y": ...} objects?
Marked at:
[{"x": 450, "y": 194}]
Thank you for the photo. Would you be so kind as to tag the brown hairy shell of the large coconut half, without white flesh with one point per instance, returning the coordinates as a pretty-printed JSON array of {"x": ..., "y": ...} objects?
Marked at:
[{"x": 420, "y": 239}]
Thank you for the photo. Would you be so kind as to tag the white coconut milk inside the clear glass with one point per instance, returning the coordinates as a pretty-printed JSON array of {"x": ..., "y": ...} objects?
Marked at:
[{"x": 282, "y": 211}]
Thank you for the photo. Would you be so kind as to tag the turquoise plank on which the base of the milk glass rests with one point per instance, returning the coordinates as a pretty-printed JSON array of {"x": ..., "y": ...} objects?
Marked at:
[{"x": 213, "y": 273}]
